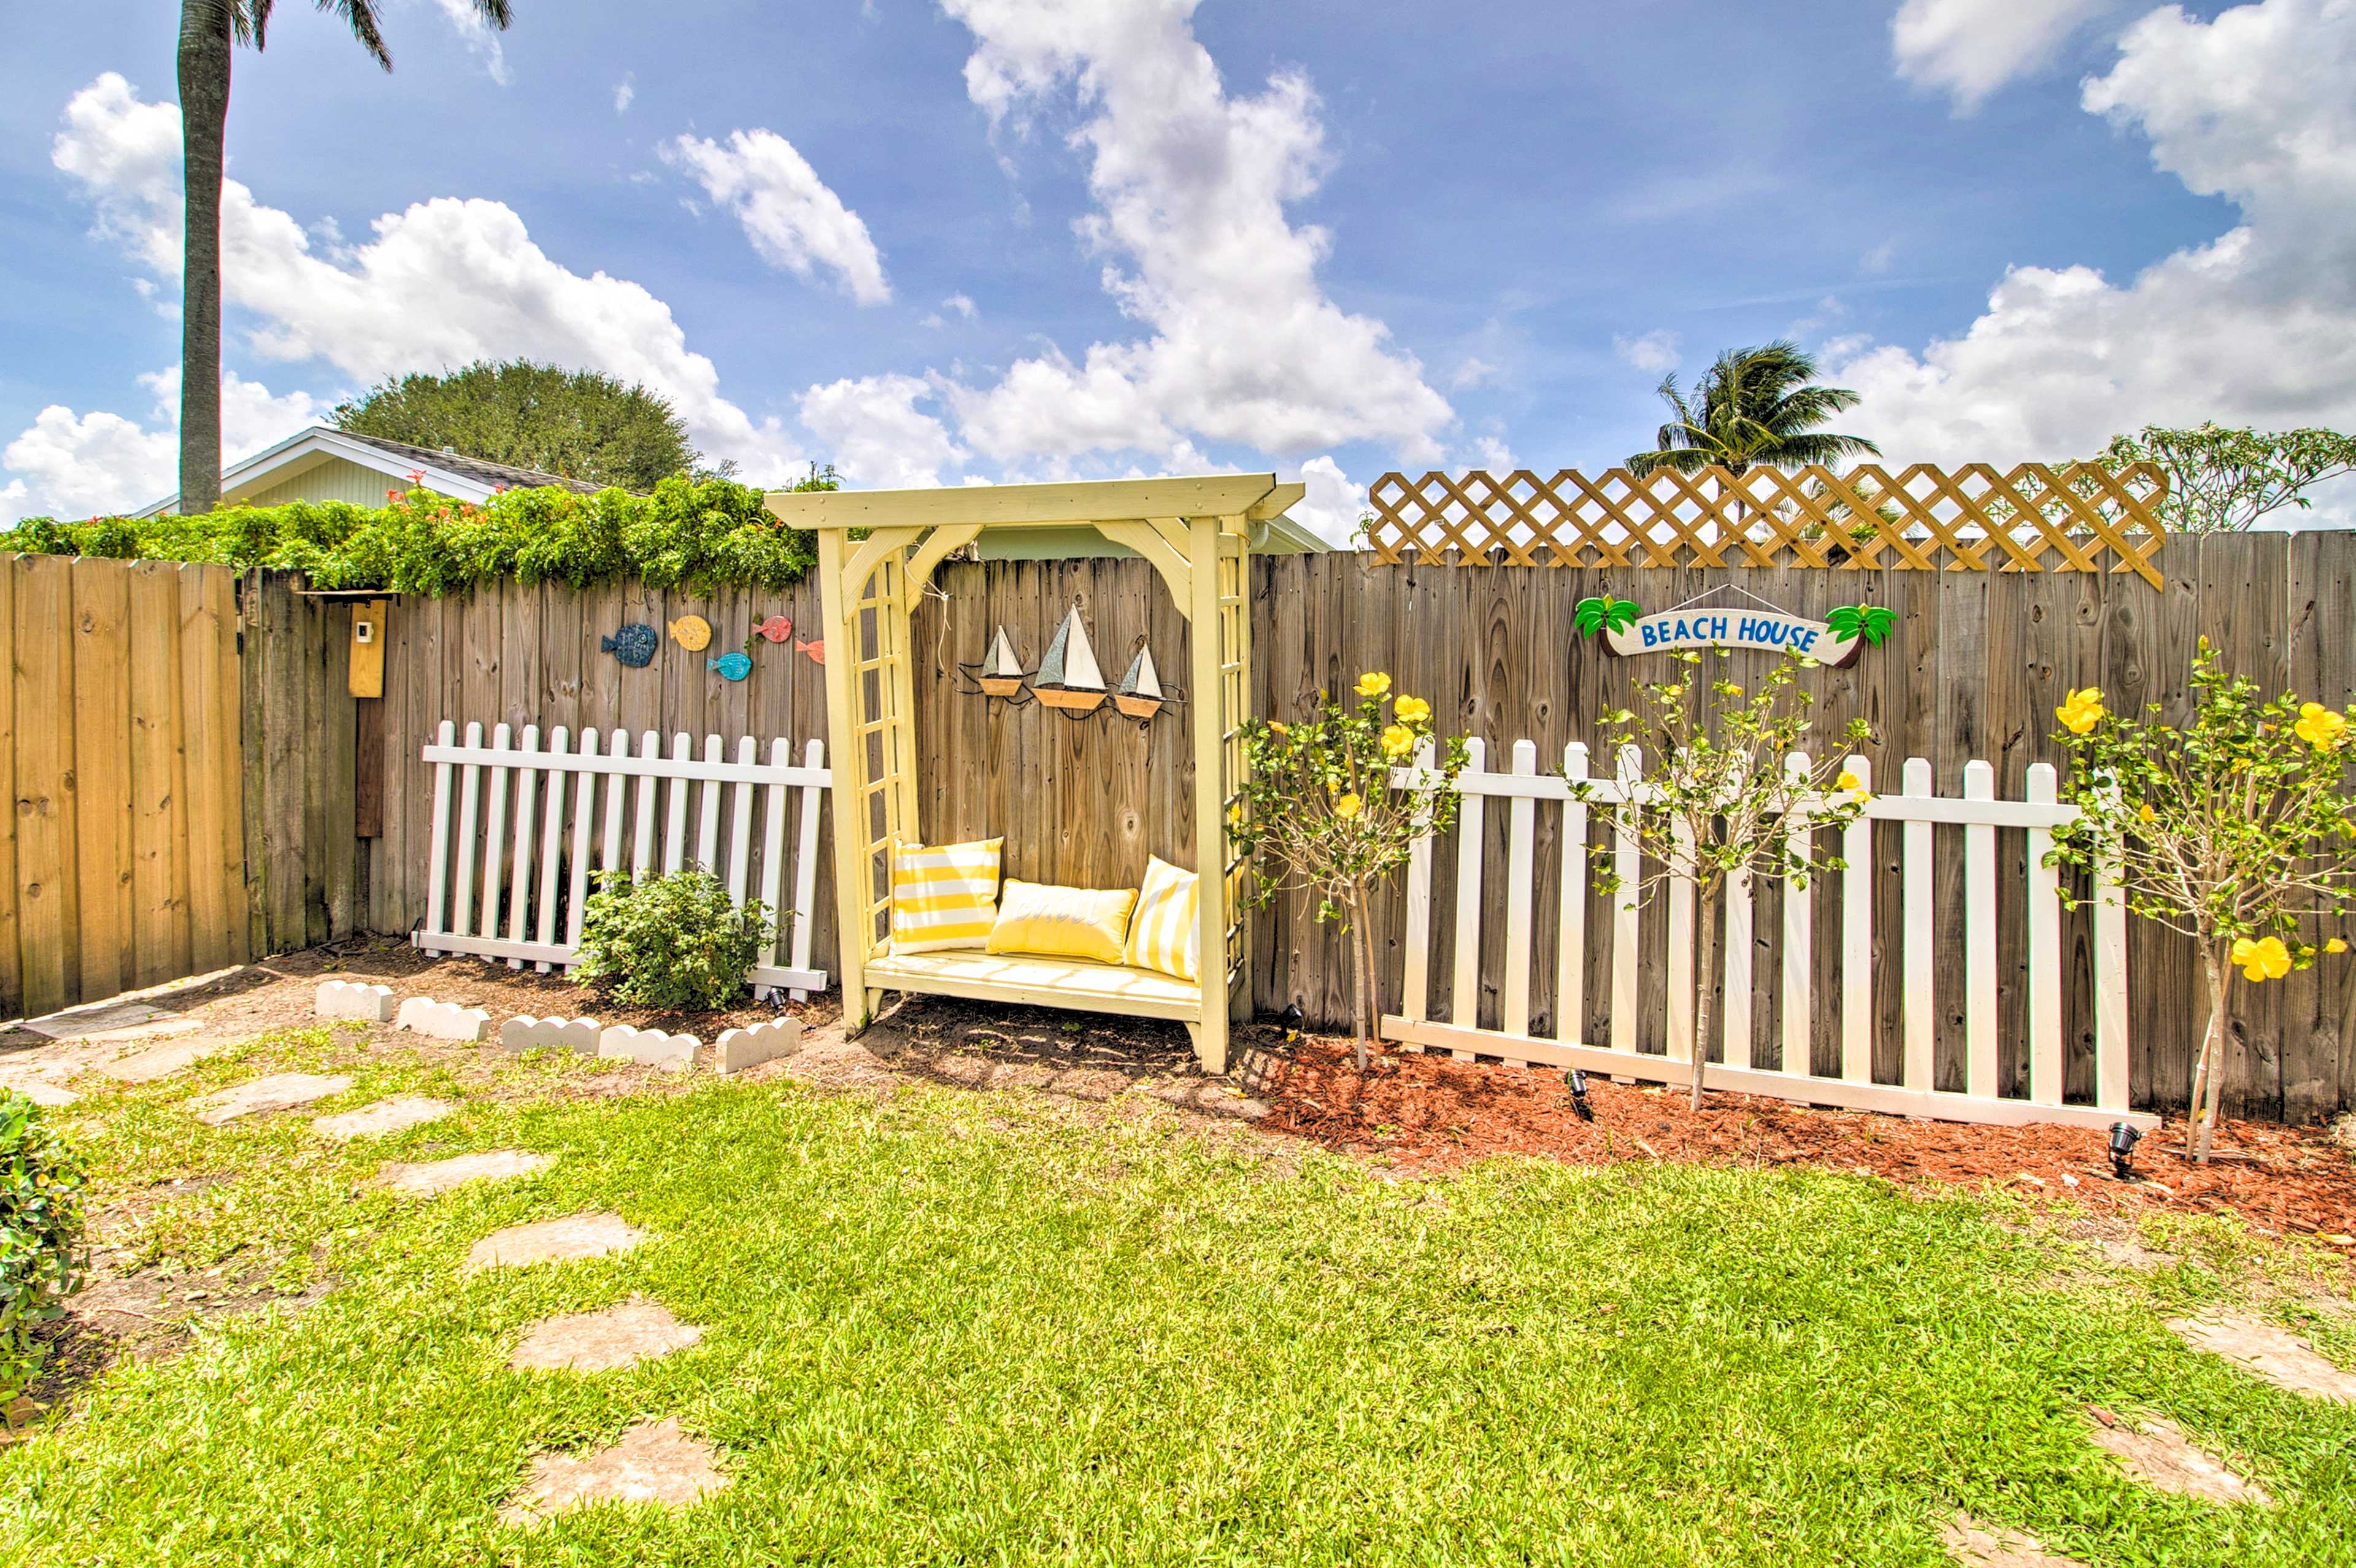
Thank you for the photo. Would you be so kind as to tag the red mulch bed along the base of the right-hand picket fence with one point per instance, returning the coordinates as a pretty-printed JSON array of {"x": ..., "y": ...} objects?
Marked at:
[{"x": 1436, "y": 1112}]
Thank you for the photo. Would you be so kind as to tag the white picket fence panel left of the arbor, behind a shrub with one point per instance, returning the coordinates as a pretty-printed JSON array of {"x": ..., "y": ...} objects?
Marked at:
[{"x": 503, "y": 785}]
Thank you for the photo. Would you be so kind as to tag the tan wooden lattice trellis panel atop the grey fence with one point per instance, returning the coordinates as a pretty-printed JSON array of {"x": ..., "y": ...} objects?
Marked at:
[{"x": 1971, "y": 519}]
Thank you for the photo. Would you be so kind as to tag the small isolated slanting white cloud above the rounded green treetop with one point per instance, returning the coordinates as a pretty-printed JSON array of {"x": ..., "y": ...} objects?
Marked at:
[{"x": 788, "y": 211}]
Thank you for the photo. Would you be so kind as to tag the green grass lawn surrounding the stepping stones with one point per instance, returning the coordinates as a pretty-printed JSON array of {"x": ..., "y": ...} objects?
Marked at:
[{"x": 981, "y": 1329}]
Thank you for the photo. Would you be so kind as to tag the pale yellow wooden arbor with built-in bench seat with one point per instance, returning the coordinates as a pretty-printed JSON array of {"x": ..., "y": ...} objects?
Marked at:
[{"x": 1196, "y": 533}]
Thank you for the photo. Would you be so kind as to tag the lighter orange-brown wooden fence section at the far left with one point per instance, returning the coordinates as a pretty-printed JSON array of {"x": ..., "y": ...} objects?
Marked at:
[{"x": 119, "y": 738}]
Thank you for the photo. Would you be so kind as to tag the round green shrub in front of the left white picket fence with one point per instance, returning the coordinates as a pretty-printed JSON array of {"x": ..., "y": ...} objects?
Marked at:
[{"x": 670, "y": 941}]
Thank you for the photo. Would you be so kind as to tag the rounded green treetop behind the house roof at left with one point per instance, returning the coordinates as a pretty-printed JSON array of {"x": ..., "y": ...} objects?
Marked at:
[{"x": 569, "y": 423}]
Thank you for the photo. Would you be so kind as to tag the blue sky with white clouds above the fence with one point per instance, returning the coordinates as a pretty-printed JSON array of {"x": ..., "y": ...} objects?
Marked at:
[{"x": 1033, "y": 239}]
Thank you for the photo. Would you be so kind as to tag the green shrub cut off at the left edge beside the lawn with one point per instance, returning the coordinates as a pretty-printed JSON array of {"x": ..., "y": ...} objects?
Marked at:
[{"x": 41, "y": 1225}]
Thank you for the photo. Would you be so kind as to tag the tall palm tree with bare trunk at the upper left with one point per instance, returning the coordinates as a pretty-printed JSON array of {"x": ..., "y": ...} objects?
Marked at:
[{"x": 209, "y": 32}]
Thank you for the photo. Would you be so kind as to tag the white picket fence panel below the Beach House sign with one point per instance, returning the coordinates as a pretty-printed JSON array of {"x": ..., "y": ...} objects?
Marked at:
[{"x": 1980, "y": 813}]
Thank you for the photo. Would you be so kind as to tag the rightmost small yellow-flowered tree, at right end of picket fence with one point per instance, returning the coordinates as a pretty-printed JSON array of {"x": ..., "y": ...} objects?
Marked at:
[{"x": 2235, "y": 830}]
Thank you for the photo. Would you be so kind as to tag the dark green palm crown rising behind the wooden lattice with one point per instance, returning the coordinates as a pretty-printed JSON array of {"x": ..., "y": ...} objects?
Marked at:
[{"x": 1754, "y": 406}]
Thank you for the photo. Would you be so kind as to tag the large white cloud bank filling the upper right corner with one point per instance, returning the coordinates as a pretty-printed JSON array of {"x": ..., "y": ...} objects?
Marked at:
[{"x": 2256, "y": 326}]
